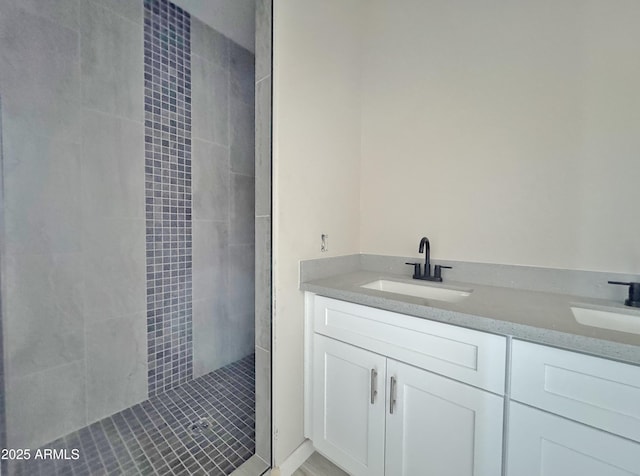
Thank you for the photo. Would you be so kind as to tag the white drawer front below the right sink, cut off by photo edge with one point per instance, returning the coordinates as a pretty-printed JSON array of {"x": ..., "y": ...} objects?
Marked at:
[{"x": 595, "y": 391}]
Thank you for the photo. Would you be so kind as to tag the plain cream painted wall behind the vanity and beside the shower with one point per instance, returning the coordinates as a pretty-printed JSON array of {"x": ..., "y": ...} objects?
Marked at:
[{"x": 505, "y": 131}]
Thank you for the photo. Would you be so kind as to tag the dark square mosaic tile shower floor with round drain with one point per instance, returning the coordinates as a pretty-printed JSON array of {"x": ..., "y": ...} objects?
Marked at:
[{"x": 204, "y": 427}]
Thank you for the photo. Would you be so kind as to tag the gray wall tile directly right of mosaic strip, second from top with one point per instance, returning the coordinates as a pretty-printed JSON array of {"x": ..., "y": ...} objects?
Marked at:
[{"x": 210, "y": 86}]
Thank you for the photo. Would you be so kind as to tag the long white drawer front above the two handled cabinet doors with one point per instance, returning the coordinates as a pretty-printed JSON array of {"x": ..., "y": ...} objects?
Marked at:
[{"x": 473, "y": 357}]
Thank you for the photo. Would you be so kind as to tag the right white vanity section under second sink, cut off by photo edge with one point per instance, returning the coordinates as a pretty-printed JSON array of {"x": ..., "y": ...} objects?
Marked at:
[{"x": 587, "y": 415}]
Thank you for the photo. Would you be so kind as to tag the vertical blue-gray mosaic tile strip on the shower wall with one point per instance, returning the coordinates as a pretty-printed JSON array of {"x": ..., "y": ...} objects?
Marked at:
[{"x": 167, "y": 87}]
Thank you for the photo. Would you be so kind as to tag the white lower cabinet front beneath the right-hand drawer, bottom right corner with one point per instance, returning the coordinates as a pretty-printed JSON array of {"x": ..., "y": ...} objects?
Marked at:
[{"x": 542, "y": 444}]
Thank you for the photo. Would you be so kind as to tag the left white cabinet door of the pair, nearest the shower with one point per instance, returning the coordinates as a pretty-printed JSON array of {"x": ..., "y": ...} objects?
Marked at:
[{"x": 347, "y": 427}]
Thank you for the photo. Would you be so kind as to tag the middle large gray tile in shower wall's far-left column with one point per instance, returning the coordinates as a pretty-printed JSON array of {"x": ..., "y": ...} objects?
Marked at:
[{"x": 42, "y": 193}]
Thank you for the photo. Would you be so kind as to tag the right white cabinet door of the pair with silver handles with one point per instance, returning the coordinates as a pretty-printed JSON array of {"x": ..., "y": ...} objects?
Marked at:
[{"x": 441, "y": 427}]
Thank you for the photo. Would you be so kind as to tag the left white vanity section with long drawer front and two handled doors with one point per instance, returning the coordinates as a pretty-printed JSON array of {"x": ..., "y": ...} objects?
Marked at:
[{"x": 386, "y": 394}]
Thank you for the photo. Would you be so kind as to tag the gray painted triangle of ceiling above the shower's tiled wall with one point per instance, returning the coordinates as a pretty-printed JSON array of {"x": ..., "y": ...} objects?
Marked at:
[{"x": 233, "y": 18}]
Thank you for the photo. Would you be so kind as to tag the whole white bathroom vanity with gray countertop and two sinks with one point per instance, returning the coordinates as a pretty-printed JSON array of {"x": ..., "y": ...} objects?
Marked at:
[{"x": 434, "y": 389}]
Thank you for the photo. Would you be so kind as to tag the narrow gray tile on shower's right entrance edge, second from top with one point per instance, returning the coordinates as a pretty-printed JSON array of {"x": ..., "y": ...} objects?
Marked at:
[{"x": 263, "y": 147}]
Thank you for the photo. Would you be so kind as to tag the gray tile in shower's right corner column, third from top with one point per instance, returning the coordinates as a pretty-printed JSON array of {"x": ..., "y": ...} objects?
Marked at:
[{"x": 242, "y": 230}]
